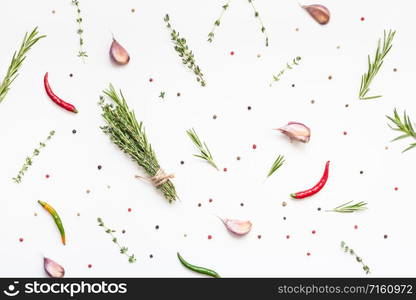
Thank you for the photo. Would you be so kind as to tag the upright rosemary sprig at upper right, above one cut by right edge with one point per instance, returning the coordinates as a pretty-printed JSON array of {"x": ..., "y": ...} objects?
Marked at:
[{"x": 375, "y": 65}]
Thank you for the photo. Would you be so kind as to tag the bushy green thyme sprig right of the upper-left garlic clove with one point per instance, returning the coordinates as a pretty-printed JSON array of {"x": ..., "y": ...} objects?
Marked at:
[{"x": 187, "y": 56}]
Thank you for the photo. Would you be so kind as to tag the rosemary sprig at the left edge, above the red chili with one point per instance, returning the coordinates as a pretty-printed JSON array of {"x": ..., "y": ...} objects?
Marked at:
[{"x": 17, "y": 60}]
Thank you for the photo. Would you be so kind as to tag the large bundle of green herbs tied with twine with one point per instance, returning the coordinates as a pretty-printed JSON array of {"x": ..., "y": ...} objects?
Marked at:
[{"x": 130, "y": 136}]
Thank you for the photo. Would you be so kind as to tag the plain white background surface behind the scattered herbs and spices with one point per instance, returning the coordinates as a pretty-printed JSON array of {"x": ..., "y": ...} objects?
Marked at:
[{"x": 233, "y": 83}]
